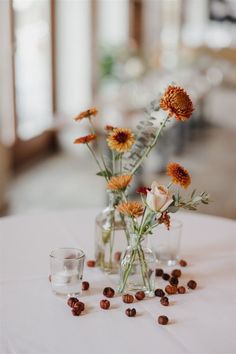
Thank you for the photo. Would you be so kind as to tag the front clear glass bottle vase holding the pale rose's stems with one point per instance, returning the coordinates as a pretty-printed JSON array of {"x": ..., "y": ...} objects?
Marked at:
[{"x": 137, "y": 269}]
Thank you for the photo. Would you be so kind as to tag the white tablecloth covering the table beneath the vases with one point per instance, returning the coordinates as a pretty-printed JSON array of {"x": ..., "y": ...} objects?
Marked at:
[{"x": 34, "y": 321}]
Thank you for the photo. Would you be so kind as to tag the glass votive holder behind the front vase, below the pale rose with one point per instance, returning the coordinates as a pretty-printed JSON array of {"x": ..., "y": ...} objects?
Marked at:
[{"x": 166, "y": 243}]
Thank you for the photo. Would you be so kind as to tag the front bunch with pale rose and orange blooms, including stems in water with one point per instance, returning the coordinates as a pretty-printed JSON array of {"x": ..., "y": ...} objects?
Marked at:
[{"x": 155, "y": 207}]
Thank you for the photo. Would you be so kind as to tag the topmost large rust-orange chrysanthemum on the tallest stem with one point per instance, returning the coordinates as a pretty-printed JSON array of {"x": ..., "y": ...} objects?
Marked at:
[{"x": 177, "y": 102}]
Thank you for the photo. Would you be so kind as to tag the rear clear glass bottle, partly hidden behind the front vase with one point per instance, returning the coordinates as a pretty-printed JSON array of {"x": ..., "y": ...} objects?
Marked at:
[{"x": 111, "y": 237}]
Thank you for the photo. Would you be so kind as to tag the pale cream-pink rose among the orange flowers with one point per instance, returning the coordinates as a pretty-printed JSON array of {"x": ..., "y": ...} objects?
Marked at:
[{"x": 159, "y": 197}]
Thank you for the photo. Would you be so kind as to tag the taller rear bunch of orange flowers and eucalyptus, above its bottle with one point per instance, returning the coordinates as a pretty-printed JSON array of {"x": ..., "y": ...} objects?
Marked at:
[{"x": 130, "y": 150}]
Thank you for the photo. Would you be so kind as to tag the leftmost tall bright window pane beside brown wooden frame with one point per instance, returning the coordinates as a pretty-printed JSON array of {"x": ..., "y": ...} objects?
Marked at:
[{"x": 32, "y": 66}]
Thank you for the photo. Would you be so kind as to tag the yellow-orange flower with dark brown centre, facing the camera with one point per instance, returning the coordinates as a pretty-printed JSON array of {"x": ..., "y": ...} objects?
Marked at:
[{"x": 120, "y": 139}]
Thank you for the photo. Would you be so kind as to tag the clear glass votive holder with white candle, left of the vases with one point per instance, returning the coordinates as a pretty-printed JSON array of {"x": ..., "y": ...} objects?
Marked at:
[{"x": 67, "y": 266}]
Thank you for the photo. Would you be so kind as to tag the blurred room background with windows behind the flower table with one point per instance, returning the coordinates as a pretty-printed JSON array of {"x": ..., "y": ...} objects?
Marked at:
[{"x": 58, "y": 57}]
